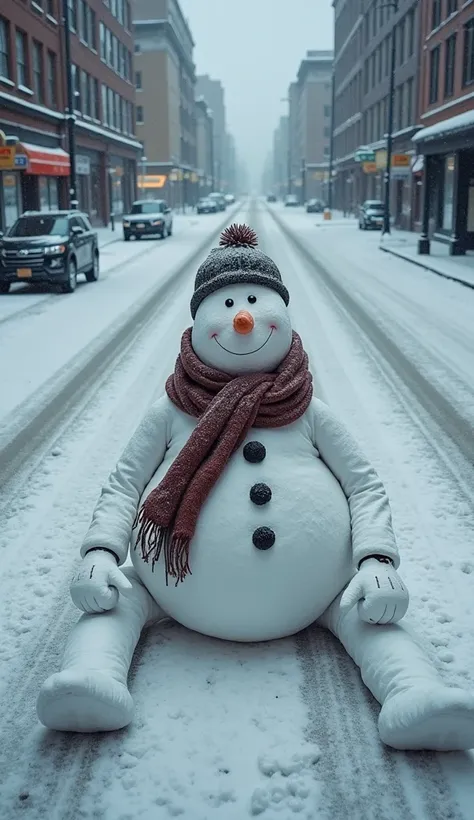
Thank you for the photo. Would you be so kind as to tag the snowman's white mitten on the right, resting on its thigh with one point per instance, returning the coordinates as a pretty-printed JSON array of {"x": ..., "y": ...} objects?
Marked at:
[{"x": 379, "y": 593}]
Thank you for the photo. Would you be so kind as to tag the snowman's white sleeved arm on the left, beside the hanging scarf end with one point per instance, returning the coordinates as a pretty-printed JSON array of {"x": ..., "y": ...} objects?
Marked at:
[{"x": 116, "y": 509}]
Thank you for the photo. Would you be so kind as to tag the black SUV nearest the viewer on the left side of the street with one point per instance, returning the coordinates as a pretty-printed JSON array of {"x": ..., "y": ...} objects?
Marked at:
[{"x": 50, "y": 247}]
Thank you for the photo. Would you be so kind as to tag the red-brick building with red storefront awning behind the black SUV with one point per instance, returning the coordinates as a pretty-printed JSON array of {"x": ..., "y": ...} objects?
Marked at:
[{"x": 33, "y": 104}]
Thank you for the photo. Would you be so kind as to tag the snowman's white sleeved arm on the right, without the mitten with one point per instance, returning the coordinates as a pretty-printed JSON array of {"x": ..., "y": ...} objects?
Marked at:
[{"x": 371, "y": 518}]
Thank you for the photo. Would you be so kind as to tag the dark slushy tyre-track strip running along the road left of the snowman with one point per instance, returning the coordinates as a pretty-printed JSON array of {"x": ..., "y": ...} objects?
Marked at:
[{"x": 59, "y": 394}]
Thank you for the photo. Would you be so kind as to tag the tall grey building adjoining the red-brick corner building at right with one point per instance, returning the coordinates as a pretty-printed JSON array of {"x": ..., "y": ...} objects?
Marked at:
[{"x": 362, "y": 68}]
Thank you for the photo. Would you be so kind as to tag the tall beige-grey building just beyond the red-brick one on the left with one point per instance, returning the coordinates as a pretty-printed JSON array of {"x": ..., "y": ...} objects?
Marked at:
[{"x": 165, "y": 82}]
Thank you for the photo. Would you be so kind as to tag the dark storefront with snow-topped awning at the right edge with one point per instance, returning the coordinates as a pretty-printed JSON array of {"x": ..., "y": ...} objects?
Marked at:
[{"x": 448, "y": 184}]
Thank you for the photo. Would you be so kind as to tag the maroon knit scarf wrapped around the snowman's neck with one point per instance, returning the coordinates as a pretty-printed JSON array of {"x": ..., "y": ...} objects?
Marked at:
[{"x": 227, "y": 407}]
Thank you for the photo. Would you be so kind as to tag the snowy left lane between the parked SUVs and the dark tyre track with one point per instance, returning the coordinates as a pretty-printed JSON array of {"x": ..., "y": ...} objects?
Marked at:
[{"x": 42, "y": 339}]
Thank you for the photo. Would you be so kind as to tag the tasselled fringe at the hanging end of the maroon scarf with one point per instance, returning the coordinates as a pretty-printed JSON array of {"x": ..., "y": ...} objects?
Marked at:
[{"x": 154, "y": 540}]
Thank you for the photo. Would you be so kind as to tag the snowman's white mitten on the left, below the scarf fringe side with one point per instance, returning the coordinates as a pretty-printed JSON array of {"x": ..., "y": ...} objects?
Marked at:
[{"x": 96, "y": 585}]
